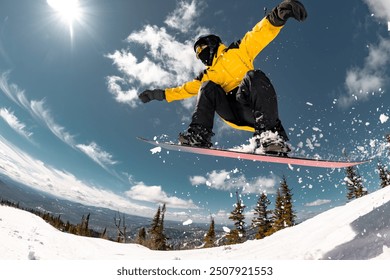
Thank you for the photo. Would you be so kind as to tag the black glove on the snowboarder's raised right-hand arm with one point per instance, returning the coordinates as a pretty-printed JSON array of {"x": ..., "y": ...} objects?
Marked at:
[{"x": 288, "y": 8}]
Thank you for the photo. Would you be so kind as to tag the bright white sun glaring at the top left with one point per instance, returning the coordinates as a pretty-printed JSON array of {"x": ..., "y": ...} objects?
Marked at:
[{"x": 68, "y": 10}]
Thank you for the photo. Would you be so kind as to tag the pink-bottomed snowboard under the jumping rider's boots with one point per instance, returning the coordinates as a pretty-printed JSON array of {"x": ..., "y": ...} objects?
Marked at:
[{"x": 254, "y": 157}]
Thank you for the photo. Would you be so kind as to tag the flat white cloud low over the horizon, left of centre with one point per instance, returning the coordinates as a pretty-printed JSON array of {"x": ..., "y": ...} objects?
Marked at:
[{"x": 156, "y": 194}]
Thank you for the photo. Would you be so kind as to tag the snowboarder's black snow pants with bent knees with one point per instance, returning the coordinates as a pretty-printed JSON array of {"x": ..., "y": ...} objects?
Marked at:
[{"x": 253, "y": 103}]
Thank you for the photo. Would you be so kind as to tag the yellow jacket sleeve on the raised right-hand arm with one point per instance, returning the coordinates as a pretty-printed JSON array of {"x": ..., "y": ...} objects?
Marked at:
[{"x": 259, "y": 37}]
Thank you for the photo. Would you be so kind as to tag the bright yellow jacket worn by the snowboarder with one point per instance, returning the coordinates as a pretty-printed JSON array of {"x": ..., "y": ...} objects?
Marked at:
[{"x": 231, "y": 64}]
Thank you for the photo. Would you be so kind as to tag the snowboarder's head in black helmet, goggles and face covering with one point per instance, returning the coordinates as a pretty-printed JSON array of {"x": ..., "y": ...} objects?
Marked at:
[{"x": 208, "y": 46}]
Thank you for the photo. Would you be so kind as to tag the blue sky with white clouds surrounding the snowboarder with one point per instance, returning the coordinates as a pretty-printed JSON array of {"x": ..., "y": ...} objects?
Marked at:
[{"x": 70, "y": 114}]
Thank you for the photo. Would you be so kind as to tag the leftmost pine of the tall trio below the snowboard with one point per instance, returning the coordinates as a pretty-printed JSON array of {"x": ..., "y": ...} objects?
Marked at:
[{"x": 238, "y": 235}]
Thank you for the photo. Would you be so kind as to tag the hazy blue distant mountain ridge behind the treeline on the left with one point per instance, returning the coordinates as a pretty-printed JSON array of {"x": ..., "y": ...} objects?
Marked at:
[{"x": 100, "y": 218}]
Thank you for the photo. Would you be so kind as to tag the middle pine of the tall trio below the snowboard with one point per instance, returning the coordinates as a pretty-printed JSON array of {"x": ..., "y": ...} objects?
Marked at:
[{"x": 261, "y": 221}]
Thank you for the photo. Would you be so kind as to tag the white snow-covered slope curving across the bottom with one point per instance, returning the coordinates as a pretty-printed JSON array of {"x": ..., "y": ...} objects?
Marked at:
[{"x": 357, "y": 230}]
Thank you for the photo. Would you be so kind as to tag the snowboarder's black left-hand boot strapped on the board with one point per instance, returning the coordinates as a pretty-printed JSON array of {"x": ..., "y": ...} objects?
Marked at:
[{"x": 197, "y": 136}]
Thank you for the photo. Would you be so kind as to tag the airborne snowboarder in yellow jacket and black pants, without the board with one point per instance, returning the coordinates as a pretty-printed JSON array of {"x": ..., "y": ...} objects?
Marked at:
[{"x": 230, "y": 86}]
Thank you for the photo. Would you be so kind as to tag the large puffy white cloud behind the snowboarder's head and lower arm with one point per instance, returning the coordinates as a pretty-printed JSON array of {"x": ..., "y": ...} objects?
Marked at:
[{"x": 166, "y": 61}]
